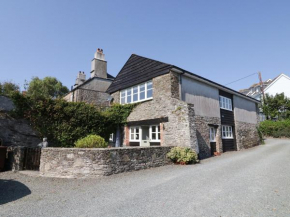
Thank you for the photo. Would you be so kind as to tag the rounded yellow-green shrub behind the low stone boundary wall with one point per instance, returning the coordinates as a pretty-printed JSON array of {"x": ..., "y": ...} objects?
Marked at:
[{"x": 91, "y": 141}]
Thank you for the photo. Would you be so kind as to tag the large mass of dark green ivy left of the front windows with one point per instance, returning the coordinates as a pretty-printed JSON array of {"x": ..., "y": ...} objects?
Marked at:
[{"x": 63, "y": 123}]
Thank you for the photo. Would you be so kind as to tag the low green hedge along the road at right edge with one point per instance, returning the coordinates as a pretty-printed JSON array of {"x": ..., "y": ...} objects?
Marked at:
[{"x": 275, "y": 129}]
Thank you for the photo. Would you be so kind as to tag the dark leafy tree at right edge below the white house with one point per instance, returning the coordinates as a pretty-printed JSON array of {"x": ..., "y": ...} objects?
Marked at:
[{"x": 277, "y": 106}]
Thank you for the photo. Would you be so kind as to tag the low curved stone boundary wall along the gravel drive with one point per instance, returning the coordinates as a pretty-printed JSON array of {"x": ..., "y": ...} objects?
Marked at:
[{"x": 96, "y": 162}]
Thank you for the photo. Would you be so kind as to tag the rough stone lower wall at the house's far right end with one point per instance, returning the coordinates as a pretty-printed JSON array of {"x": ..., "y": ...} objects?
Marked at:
[{"x": 246, "y": 135}]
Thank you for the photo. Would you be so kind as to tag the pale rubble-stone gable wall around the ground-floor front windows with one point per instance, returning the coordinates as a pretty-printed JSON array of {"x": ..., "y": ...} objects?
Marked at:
[{"x": 179, "y": 130}]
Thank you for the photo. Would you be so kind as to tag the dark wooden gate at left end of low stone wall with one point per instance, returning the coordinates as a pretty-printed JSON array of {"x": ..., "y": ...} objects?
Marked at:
[{"x": 32, "y": 158}]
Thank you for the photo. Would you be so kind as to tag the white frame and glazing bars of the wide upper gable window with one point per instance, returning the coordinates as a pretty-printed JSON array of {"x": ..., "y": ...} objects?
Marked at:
[{"x": 138, "y": 93}]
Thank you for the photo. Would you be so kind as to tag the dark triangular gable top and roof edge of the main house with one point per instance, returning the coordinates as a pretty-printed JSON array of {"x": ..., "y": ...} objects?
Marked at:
[{"x": 139, "y": 69}]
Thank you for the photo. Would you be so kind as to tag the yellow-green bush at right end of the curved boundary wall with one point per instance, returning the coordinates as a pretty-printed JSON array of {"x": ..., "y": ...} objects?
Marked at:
[{"x": 182, "y": 155}]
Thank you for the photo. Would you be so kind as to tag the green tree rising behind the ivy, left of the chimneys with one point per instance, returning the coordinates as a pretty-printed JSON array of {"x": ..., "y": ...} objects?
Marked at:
[{"x": 49, "y": 87}]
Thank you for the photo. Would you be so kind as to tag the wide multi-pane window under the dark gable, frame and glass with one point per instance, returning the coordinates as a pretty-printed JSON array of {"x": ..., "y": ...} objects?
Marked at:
[{"x": 137, "y": 93}]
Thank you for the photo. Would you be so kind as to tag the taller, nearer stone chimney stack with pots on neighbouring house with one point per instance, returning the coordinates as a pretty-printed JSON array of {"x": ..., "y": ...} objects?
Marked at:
[{"x": 99, "y": 65}]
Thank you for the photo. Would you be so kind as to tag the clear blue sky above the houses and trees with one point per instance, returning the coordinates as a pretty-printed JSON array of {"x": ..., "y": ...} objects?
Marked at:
[{"x": 222, "y": 40}]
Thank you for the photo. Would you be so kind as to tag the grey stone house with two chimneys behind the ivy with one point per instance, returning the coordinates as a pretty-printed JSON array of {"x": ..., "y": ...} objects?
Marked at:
[{"x": 93, "y": 90}]
